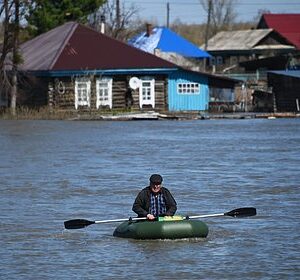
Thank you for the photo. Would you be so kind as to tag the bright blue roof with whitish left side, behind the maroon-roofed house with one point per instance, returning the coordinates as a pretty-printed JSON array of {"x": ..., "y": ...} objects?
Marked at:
[{"x": 167, "y": 41}]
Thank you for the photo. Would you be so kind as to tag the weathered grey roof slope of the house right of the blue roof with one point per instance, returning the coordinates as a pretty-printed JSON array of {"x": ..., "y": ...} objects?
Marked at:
[{"x": 237, "y": 40}]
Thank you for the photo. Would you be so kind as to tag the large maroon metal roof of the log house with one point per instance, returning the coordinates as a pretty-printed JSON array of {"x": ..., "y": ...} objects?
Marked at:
[{"x": 73, "y": 46}]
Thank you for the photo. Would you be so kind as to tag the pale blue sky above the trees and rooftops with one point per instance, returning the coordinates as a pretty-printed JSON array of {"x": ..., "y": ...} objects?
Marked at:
[{"x": 191, "y": 11}]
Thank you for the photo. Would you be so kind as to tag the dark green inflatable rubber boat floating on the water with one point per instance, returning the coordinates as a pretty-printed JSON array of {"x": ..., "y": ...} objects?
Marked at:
[{"x": 162, "y": 229}]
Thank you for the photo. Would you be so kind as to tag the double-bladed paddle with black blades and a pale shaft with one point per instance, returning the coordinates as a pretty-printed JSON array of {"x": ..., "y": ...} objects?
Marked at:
[{"x": 237, "y": 213}]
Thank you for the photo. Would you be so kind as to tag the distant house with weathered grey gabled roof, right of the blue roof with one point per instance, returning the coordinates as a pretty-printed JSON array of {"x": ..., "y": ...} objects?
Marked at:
[{"x": 230, "y": 48}]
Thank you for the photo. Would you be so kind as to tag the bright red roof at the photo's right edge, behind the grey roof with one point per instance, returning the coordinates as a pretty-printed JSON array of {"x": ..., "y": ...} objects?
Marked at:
[{"x": 288, "y": 25}]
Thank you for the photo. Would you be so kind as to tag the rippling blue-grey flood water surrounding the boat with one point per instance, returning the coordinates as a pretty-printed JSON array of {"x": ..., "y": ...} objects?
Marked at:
[{"x": 52, "y": 171}]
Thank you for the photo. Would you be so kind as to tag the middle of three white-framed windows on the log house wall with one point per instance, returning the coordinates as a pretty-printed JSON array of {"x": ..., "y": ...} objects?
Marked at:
[{"x": 104, "y": 92}]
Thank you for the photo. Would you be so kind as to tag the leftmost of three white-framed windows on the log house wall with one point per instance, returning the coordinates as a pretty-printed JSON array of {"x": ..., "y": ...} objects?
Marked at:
[{"x": 82, "y": 92}]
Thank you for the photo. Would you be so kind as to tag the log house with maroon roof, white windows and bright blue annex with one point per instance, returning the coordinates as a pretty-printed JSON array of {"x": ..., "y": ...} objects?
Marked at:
[{"x": 73, "y": 67}]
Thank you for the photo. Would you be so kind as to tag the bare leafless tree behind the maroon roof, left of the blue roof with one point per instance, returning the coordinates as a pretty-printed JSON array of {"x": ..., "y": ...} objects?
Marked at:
[{"x": 118, "y": 20}]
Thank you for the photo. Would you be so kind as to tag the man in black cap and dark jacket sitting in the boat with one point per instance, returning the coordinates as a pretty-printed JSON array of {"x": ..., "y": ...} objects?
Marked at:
[{"x": 154, "y": 200}]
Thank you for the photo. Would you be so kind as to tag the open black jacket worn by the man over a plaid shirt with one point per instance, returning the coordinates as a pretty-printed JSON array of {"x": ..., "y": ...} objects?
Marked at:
[{"x": 142, "y": 202}]
